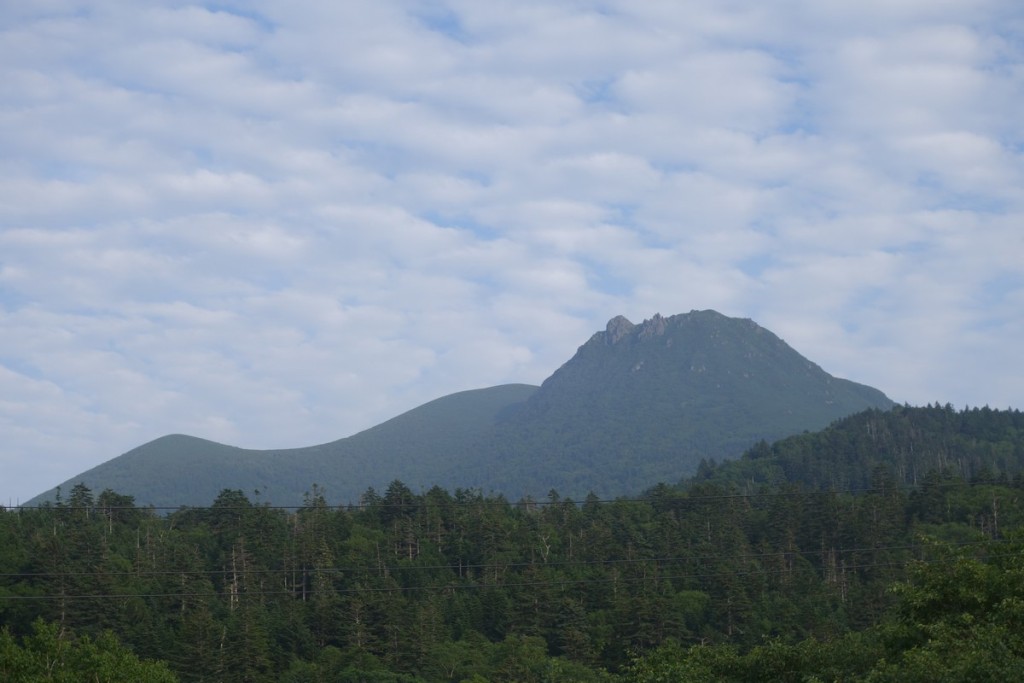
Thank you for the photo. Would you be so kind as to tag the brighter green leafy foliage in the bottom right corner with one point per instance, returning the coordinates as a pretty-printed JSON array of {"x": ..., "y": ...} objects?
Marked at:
[{"x": 959, "y": 619}]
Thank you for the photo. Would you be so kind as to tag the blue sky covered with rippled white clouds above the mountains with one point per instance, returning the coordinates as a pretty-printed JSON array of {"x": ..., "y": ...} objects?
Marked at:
[{"x": 278, "y": 224}]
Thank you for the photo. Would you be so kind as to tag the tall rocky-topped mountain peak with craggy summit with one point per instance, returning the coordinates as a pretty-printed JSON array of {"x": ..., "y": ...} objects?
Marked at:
[{"x": 643, "y": 404}]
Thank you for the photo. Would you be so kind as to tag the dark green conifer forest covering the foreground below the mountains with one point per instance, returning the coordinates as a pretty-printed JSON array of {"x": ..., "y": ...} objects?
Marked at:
[{"x": 901, "y": 561}]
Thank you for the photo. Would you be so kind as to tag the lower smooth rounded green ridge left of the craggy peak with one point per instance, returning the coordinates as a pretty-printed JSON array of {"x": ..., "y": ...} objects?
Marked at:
[{"x": 179, "y": 471}]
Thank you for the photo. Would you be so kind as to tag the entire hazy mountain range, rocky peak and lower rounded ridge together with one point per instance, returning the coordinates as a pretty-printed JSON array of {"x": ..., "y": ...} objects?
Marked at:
[{"x": 636, "y": 406}]
